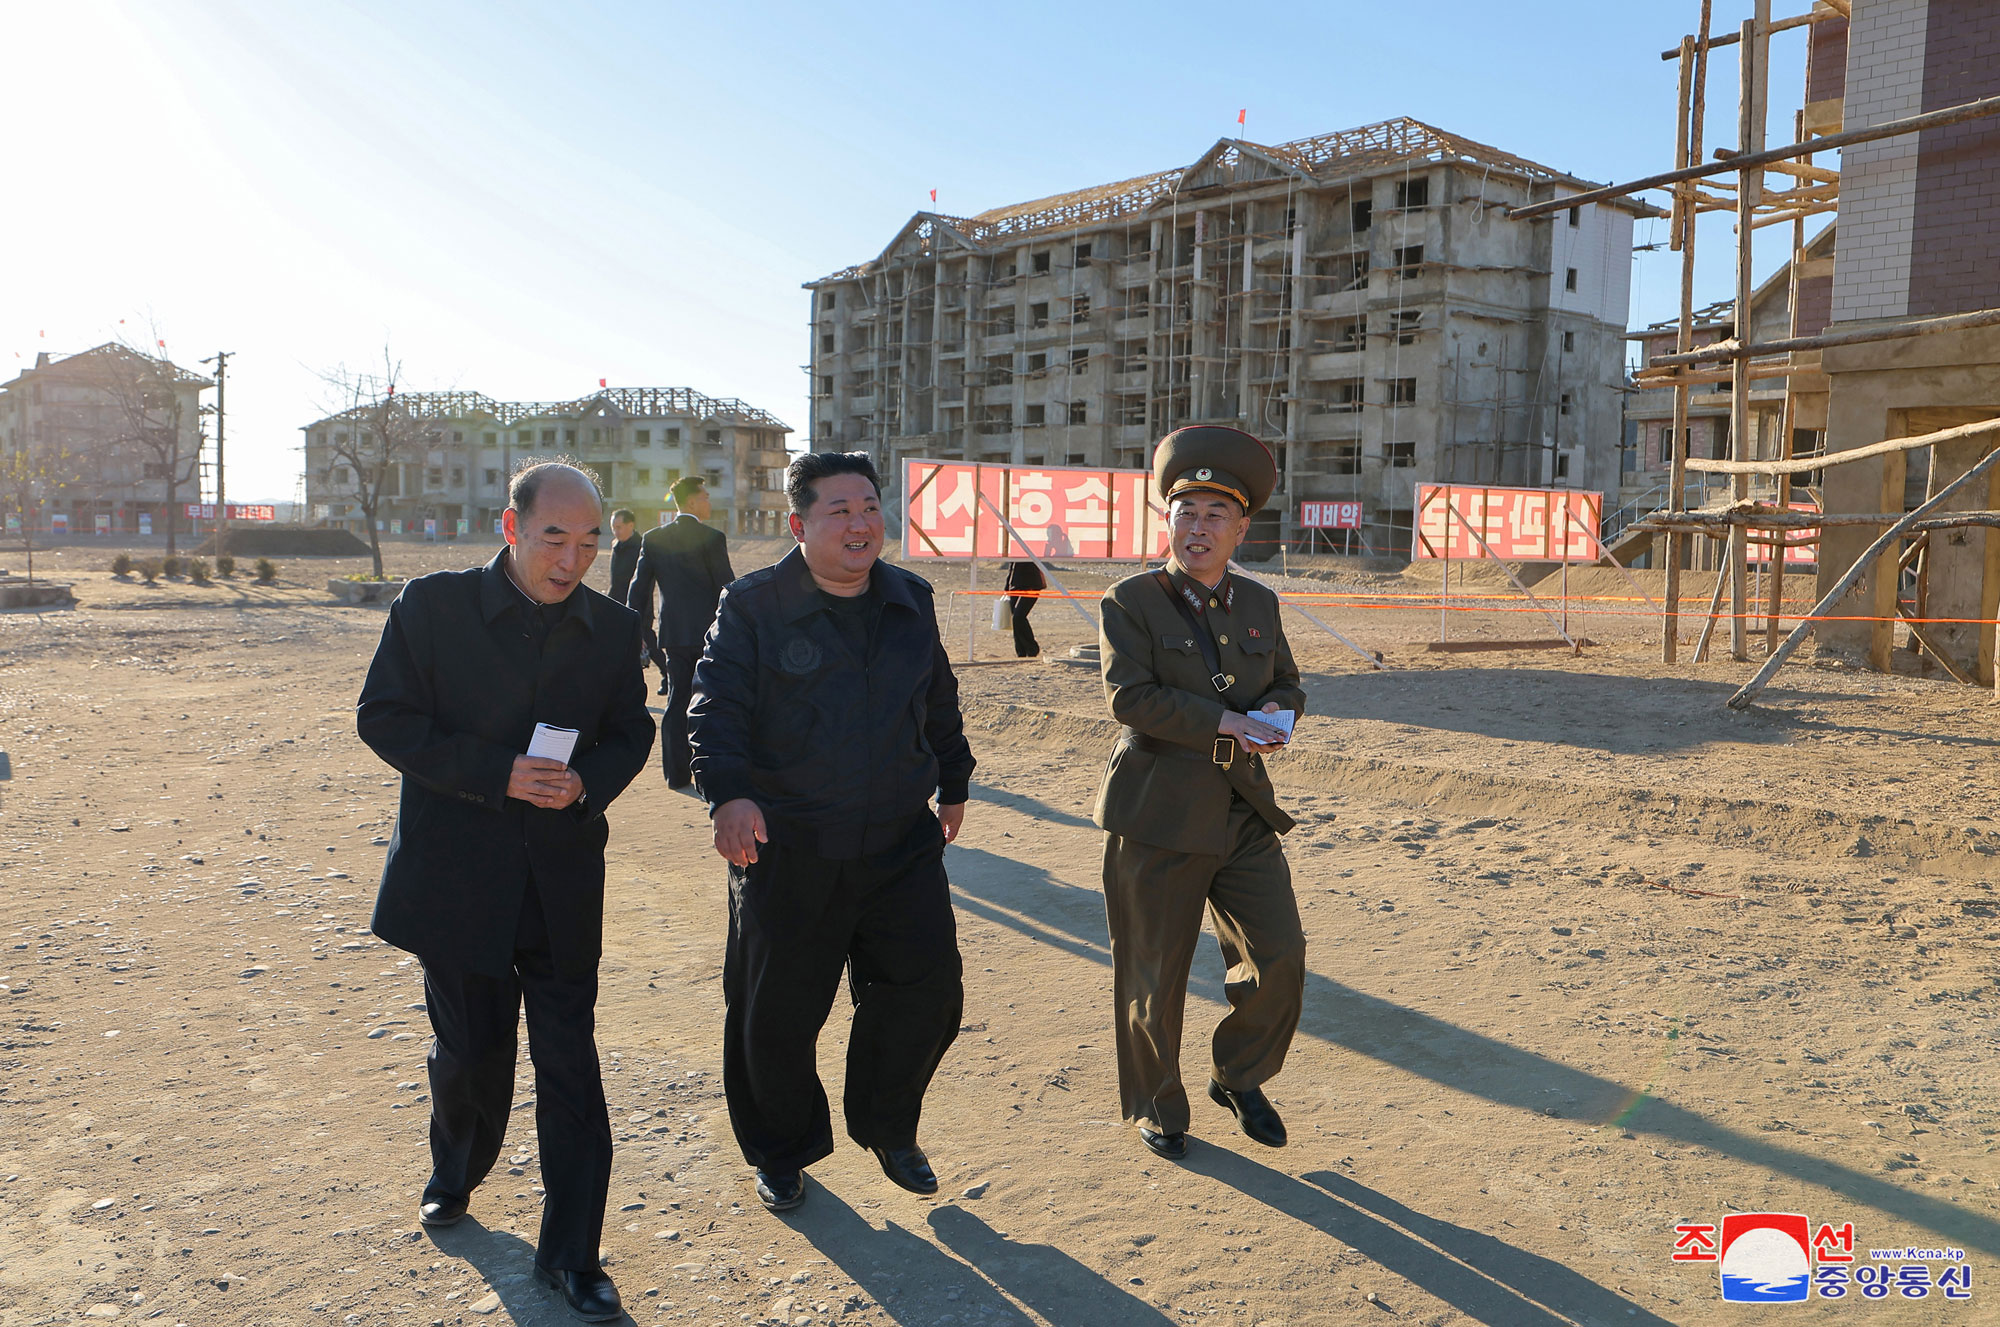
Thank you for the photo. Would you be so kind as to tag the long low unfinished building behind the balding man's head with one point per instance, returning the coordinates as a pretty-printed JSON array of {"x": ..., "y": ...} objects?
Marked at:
[{"x": 457, "y": 451}]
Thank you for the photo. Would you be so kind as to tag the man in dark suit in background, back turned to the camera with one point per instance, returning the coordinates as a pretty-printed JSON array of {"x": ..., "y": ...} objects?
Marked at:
[{"x": 691, "y": 565}]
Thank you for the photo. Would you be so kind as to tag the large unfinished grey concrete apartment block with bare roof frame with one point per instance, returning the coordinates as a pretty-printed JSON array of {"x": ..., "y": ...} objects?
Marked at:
[{"x": 1357, "y": 299}]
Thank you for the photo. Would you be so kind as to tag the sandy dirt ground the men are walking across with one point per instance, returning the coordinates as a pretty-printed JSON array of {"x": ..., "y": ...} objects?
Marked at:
[{"x": 1591, "y": 956}]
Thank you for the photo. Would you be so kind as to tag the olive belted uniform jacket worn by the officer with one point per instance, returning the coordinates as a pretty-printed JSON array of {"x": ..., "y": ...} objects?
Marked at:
[{"x": 1163, "y": 784}]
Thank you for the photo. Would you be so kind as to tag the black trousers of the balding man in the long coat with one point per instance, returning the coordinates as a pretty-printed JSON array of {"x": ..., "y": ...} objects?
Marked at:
[{"x": 475, "y": 1018}]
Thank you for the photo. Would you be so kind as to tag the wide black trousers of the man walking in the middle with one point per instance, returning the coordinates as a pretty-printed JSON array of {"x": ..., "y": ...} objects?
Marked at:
[{"x": 795, "y": 922}]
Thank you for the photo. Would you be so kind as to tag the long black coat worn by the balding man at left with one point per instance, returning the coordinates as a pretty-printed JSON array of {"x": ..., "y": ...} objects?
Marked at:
[{"x": 453, "y": 696}]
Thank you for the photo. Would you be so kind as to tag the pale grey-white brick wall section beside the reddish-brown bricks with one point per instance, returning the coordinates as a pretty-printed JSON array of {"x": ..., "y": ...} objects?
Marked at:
[{"x": 1885, "y": 81}]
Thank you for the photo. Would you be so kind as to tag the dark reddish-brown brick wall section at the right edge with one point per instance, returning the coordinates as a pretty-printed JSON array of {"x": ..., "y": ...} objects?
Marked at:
[{"x": 1955, "y": 241}]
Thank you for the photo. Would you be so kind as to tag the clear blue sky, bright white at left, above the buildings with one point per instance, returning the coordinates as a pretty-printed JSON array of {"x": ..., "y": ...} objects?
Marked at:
[{"x": 523, "y": 199}]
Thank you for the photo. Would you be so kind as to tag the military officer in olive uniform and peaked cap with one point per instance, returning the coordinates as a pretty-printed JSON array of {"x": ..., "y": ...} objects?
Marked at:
[{"x": 1193, "y": 661}]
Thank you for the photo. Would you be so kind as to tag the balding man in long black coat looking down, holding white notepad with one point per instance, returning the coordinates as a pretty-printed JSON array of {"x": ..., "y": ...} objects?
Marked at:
[{"x": 495, "y": 874}]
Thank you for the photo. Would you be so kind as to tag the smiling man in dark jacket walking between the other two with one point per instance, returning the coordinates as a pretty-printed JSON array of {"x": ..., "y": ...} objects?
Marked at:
[{"x": 825, "y": 720}]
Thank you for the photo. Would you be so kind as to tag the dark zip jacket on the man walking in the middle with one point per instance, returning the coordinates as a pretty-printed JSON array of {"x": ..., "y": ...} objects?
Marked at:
[{"x": 787, "y": 716}]
